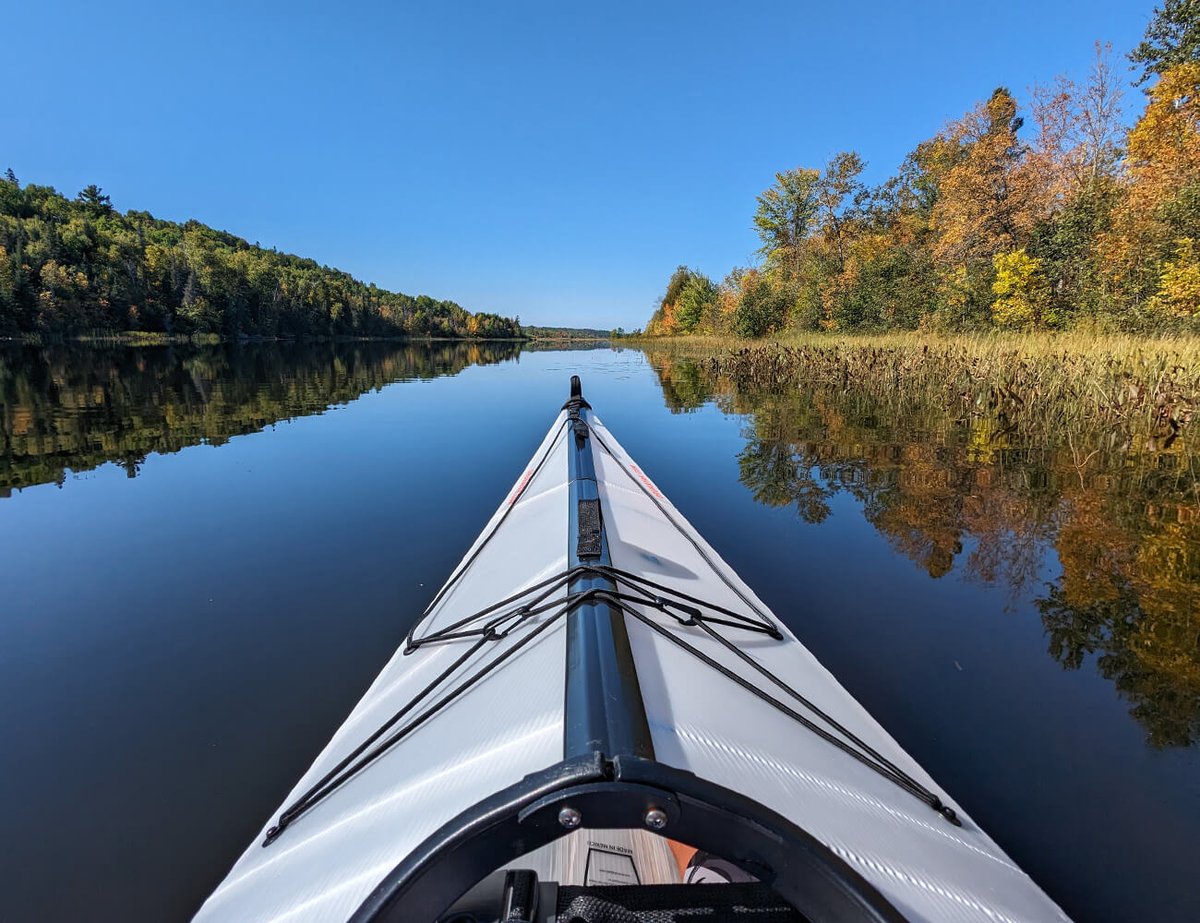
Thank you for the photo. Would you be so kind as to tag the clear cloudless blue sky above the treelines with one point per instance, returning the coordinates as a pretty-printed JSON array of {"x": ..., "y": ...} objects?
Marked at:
[{"x": 553, "y": 160}]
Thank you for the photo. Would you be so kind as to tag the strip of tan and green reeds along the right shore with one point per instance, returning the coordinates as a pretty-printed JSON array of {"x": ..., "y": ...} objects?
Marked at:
[{"x": 1125, "y": 387}]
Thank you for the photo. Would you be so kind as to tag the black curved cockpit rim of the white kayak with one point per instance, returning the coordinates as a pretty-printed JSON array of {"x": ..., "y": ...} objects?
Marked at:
[{"x": 619, "y": 795}]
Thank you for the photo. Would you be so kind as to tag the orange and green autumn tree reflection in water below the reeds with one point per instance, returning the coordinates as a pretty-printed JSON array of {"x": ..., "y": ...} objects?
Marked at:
[{"x": 1120, "y": 511}]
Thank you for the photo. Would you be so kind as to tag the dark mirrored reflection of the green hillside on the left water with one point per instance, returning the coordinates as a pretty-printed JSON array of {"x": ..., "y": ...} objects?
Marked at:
[{"x": 73, "y": 409}]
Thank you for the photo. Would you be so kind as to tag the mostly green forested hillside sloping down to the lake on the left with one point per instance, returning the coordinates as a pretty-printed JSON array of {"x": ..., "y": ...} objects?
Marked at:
[{"x": 81, "y": 268}]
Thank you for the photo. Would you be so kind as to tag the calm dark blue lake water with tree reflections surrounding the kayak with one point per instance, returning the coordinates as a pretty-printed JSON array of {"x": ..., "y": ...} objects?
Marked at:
[{"x": 208, "y": 554}]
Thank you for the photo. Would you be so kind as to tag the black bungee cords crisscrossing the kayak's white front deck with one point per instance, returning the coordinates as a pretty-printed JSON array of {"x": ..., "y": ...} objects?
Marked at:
[{"x": 686, "y": 610}]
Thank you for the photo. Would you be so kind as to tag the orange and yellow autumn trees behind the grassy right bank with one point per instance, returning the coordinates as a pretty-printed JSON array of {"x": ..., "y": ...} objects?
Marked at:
[{"x": 1061, "y": 214}]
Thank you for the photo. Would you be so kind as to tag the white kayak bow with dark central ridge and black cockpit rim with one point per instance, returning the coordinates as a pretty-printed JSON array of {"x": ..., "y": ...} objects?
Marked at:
[{"x": 593, "y": 715}]
